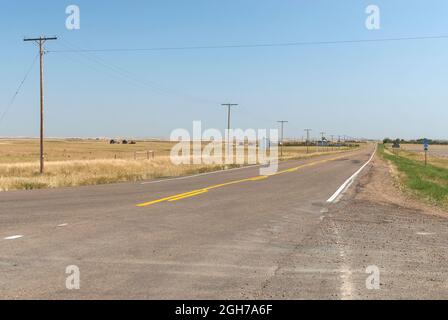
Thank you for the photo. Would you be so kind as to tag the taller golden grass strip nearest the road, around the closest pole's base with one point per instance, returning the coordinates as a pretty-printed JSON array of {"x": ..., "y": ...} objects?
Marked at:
[{"x": 90, "y": 172}]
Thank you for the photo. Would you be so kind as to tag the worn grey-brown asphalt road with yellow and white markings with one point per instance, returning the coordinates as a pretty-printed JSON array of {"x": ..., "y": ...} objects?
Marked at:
[{"x": 219, "y": 236}]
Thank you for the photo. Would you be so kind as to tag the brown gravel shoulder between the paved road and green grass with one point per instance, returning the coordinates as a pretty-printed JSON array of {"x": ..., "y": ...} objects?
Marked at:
[{"x": 376, "y": 224}]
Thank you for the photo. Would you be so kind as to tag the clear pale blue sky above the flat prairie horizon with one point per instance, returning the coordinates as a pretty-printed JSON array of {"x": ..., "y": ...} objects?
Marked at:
[{"x": 394, "y": 89}]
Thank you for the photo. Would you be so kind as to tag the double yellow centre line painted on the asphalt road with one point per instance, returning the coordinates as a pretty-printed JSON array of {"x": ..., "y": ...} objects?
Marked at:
[{"x": 198, "y": 192}]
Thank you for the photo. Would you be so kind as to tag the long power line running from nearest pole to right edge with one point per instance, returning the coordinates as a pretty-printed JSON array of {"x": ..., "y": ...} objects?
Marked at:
[{"x": 259, "y": 45}]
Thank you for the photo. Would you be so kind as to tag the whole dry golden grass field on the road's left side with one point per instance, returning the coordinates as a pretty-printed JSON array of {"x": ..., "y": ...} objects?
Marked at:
[{"x": 89, "y": 162}]
